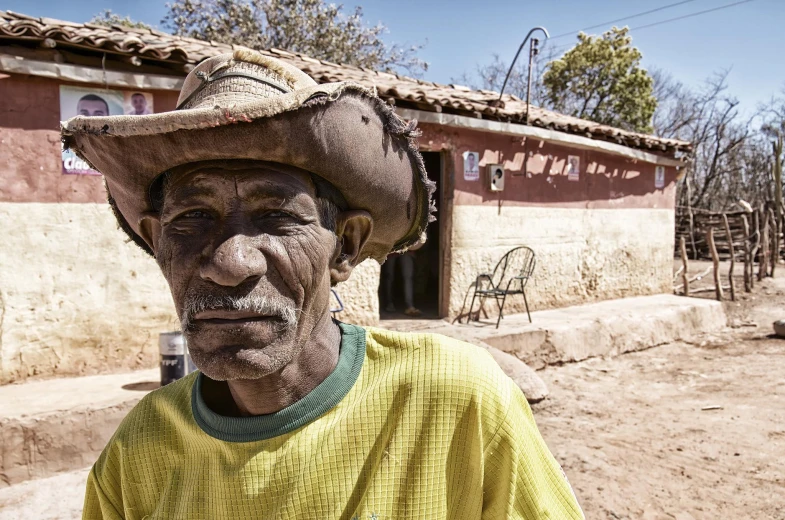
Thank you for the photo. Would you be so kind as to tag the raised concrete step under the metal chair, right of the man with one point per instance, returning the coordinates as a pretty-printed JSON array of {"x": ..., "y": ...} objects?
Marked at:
[{"x": 576, "y": 333}]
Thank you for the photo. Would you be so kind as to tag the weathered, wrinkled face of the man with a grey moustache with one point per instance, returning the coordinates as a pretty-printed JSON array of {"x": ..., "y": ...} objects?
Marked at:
[{"x": 247, "y": 260}]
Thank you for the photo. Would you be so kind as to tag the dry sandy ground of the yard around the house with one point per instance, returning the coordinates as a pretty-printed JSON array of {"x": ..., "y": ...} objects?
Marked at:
[{"x": 634, "y": 433}]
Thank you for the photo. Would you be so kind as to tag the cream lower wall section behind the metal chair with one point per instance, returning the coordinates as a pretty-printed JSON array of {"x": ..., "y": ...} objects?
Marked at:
[{"x": 582, "y": 254}]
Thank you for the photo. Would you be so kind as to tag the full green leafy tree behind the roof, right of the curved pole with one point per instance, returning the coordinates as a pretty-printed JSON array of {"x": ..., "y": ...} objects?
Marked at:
[{"x": 601, "y": 79}]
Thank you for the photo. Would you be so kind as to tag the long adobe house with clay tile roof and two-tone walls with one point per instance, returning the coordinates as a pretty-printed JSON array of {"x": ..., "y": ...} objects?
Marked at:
[{"x": 595, "y": 203}]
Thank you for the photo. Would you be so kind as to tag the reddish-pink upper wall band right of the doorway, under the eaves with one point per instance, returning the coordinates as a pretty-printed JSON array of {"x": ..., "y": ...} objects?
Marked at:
[{"x": 536, "y": 173}]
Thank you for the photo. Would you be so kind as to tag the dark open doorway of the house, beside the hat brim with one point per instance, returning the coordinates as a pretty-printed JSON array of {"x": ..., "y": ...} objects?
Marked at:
[{"x": 423, "y": 265}]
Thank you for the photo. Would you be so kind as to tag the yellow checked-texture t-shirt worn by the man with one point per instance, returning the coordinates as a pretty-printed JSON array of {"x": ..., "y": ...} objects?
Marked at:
[{"x": 408, "y": 426}]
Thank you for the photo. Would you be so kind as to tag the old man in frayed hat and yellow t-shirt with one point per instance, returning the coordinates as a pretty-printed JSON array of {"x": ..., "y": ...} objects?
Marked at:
[{"x": 257, "y": 195}]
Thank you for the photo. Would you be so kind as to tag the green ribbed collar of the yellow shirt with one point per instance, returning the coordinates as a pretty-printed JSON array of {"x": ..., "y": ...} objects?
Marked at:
[{"x": 319, "y": 401}]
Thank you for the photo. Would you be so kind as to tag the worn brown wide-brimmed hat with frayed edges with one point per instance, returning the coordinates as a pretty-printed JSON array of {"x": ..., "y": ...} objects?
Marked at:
[{"x": 249, "y": 106}]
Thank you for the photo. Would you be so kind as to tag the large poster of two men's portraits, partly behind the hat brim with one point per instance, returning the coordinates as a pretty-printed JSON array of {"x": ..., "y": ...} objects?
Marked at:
[{"x": 93, "y": 102}]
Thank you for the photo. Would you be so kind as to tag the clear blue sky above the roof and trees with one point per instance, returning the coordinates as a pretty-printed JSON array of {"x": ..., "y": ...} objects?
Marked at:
[{"x": 748, "y": 39}]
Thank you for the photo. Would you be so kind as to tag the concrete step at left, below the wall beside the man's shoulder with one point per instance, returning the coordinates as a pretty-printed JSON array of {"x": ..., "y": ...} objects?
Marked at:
[{"x": 47, "y": 427}]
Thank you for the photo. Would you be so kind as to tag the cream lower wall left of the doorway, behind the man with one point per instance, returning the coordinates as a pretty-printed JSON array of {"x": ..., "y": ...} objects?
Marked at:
[{"x": 76, "y": 297}]
